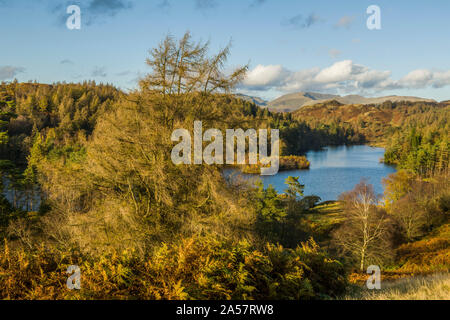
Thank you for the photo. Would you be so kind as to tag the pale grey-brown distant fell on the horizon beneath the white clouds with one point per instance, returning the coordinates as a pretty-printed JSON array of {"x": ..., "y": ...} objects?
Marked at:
[{"x": 295, "y": 101}]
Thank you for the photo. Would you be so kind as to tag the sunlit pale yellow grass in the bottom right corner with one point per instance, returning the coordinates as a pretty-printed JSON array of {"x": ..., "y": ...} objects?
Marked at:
[{"x": 430, "y": 287}]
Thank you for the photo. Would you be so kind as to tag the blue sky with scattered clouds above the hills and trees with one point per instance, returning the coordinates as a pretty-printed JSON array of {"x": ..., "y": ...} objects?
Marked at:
[{"x": 291, "y": 46}]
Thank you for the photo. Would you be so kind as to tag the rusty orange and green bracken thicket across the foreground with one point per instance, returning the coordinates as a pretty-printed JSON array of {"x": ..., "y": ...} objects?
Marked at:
[{"x": 195, "y": 268}]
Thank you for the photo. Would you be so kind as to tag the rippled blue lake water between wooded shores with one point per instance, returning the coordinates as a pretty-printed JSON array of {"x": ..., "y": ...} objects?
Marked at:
[{"x": 337, "y": 169}]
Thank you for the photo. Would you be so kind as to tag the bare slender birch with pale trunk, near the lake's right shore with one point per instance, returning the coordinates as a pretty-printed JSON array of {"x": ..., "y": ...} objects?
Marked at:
[{"x": 365, "y": 233}]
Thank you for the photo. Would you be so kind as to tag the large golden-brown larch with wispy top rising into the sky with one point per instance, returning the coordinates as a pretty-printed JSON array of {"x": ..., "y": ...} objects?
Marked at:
[{"x": 127, "y": 192}]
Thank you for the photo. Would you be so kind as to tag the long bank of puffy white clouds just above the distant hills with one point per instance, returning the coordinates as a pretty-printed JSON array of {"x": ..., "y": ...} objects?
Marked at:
[{"x": 345, "y": 76}]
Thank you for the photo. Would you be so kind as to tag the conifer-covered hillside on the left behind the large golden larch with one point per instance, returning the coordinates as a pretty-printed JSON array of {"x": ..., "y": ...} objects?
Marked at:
[{"x": 29, "y": 108}]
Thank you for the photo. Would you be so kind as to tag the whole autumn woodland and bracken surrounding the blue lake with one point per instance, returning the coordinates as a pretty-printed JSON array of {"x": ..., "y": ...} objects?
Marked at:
[{"x": 87, "y": 180}]
